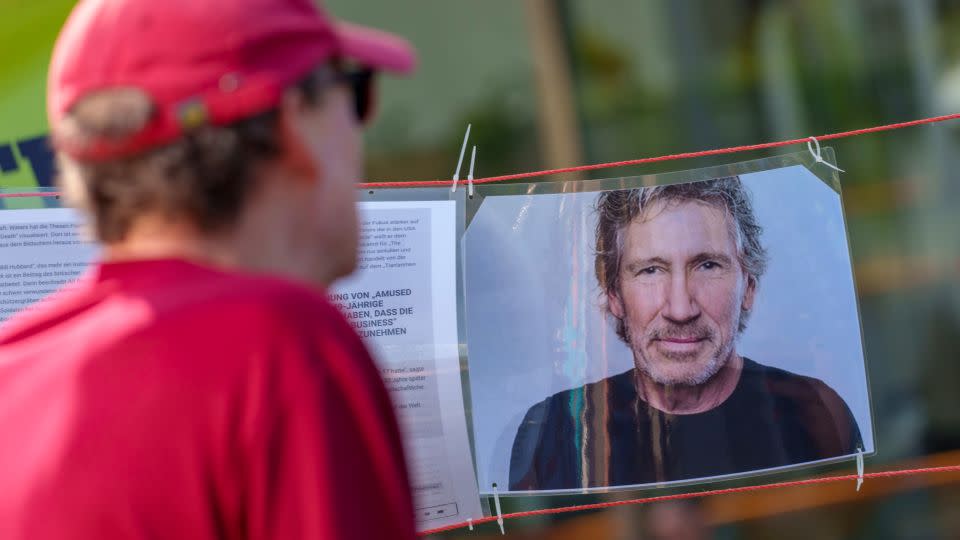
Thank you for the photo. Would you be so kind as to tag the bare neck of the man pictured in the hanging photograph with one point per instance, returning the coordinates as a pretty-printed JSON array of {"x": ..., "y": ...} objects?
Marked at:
[{"x": 683, "y": 399}]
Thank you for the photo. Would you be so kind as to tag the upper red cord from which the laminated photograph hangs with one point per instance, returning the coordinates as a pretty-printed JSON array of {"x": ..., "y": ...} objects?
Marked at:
[{"x": 686, "y": 155}]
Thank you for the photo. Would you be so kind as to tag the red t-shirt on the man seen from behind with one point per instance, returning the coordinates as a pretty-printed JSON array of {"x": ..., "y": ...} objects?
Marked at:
[{"x": 163, "y": 399}]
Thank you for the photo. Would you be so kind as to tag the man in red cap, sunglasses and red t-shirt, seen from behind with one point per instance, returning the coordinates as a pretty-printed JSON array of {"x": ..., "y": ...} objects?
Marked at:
[{"x": 197, "y": 383}]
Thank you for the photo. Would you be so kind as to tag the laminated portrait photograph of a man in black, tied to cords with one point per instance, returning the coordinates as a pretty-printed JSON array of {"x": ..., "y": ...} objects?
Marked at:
[{"x": 659, "y": 330}]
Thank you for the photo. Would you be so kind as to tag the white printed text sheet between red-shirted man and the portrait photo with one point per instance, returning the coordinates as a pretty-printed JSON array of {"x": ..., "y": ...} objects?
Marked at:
[{"x": 403, "y": 301}]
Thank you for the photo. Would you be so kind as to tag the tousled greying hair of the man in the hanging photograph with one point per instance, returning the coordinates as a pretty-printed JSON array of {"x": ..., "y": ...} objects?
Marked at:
[{"x": 617, "y": 209}]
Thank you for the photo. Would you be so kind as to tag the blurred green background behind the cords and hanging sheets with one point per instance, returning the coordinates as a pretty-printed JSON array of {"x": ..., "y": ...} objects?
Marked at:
[{"x": 552, "y": 83}]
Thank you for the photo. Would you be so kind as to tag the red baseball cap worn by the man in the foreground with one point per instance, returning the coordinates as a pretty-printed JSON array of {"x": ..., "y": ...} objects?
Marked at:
[{"x": 214, "y": 60}]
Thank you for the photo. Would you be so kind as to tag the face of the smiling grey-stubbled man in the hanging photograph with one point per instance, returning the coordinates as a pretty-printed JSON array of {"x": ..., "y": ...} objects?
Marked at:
[{"x": 682, "y": 291}]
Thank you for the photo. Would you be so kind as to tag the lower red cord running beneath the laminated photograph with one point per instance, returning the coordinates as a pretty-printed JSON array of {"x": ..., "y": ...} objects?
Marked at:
[{"x": 697, "y": 494}]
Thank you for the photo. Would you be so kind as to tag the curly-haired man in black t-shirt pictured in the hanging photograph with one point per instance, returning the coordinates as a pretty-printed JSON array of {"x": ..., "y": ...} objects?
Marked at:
[{"x": 679, "y": 269}]
